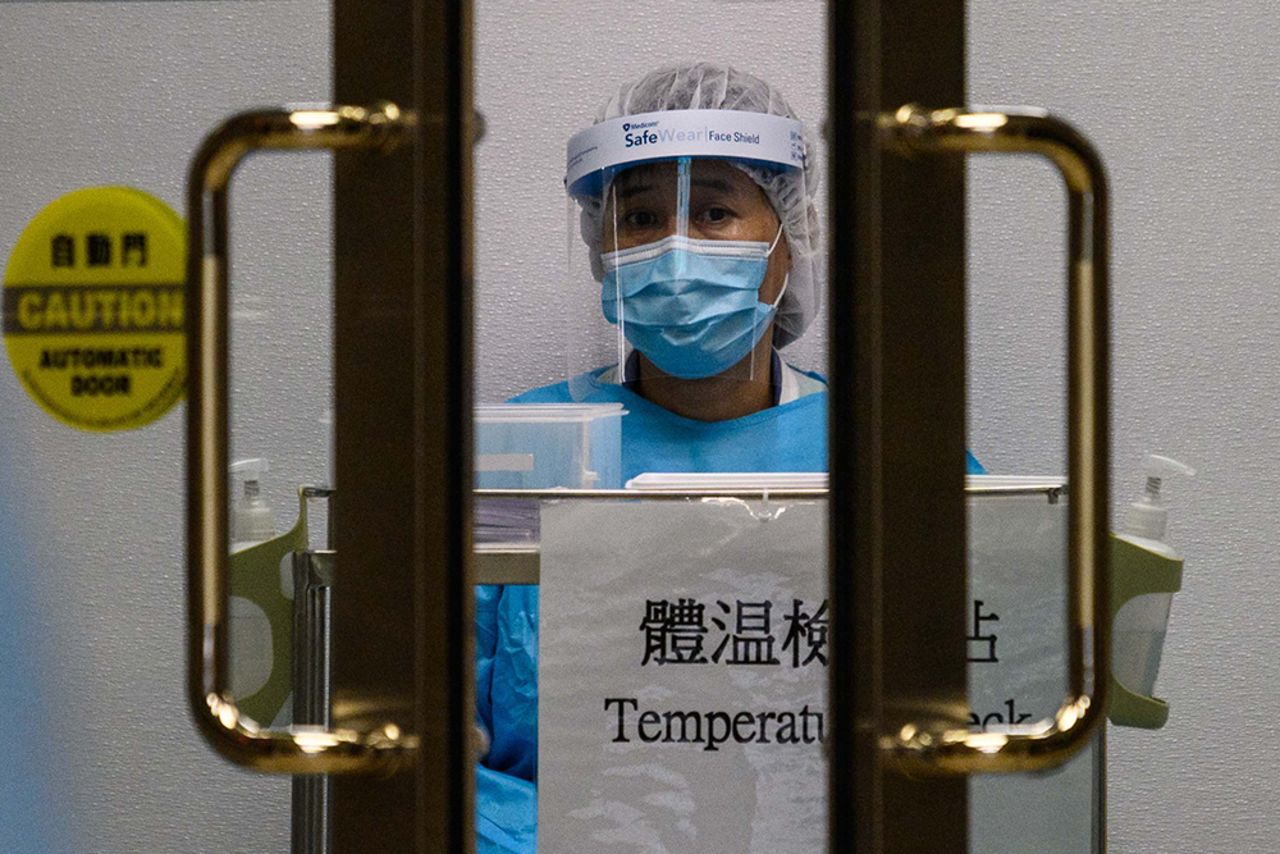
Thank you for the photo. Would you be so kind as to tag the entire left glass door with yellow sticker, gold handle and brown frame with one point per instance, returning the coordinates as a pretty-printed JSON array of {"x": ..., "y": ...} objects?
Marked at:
[{"x": 191, "y": 323}]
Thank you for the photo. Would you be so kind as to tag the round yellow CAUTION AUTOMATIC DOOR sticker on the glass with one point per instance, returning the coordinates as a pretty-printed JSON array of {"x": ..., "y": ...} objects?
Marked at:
[{"x": 94, "y": 309}]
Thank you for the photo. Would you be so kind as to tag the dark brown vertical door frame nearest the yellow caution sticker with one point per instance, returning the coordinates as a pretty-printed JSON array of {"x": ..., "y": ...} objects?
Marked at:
[{"x": 403, "y": 602}]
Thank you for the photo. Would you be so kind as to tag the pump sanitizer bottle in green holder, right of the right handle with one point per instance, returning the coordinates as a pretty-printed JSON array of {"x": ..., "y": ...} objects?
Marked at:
[{"x": 1141, "y": 624}]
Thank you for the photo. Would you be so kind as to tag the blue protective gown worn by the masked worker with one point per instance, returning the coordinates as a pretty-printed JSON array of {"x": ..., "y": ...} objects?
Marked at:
[{"x": 788, "y": 437}]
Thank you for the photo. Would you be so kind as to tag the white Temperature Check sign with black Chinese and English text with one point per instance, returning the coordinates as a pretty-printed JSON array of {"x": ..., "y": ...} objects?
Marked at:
[{"x": 683, "y": 683}]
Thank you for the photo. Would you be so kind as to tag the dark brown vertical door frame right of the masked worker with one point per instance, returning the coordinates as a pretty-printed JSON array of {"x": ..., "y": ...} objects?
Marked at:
[{"x": 898, "y": 426}]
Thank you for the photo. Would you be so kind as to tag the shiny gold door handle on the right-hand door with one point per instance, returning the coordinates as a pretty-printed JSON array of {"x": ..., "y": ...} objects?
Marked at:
[{"x": 913, "y": 130}]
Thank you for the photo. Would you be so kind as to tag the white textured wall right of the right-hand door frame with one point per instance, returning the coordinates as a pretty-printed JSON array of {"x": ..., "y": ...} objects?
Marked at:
[{"x": 1183, "y": 99}]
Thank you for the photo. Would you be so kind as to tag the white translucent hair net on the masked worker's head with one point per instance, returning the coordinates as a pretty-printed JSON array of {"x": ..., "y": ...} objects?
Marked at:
[{"x": 712, "y": 86}]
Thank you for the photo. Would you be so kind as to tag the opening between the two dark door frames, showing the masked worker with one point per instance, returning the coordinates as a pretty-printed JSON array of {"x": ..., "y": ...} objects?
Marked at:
[{"x": 655, "y": 290}]
